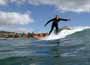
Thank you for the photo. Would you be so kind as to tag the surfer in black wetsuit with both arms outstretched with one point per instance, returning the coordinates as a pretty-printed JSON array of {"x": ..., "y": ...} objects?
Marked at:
[{"x": 55, "y": 21}]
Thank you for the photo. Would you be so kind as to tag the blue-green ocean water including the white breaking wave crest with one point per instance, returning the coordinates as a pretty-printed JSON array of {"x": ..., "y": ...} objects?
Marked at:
[{"x": 72, "y": 48}]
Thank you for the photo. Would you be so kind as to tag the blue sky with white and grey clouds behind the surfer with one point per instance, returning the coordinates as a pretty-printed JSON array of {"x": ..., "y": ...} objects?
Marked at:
[{"x": 31, "y": 15}]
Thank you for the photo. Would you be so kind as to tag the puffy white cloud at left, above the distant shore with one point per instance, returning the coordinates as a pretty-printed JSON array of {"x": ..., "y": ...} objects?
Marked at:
[{"x": 11, "y": 18}]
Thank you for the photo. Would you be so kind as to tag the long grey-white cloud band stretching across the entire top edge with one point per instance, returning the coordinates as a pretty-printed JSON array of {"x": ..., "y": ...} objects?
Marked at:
[{"x": 64, "y": 5}]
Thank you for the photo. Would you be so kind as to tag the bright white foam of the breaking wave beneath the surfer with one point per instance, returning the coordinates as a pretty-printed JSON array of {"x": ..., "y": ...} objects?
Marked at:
[{"x": 65, "y": 33}]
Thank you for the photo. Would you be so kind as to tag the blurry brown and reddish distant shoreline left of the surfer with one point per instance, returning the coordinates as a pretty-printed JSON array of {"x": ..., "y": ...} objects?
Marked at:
[{"x": 14, "y": 35}]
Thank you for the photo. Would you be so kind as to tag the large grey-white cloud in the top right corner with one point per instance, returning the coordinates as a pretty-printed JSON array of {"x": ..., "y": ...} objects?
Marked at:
[{"x": 74, "y": 5}]
